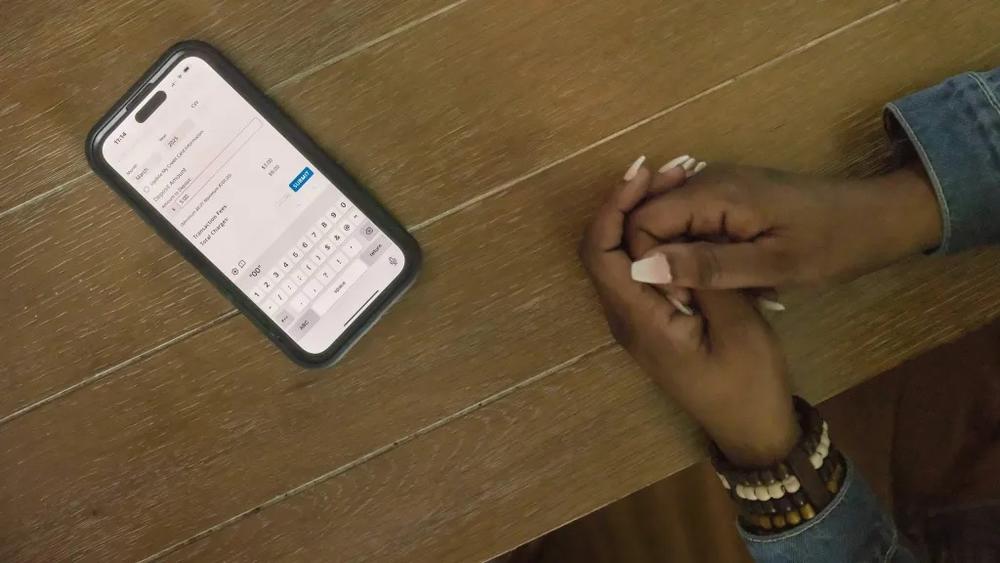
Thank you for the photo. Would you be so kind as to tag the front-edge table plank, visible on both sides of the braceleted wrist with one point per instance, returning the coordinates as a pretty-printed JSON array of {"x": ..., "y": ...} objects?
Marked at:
[{"x": 559, "y": 448}]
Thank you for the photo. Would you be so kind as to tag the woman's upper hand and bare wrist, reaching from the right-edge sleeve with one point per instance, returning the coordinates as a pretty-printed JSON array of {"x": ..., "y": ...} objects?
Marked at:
[{"x": 741, "y": 227}]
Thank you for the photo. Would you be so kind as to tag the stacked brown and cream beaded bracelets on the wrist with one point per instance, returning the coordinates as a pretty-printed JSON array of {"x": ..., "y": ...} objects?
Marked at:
[{"x": 793, "y": 491}]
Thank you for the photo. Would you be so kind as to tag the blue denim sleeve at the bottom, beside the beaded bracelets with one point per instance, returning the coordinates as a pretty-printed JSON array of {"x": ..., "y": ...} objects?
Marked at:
[{"x": 852, "y": 529}]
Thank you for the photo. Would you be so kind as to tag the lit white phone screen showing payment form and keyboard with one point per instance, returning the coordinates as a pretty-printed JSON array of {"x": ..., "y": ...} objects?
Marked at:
[{"x": 252, "y": 204}]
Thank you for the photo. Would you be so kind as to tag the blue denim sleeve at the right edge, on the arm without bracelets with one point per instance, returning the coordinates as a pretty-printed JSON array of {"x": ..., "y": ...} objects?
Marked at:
[{"x": 954, "y": 128}]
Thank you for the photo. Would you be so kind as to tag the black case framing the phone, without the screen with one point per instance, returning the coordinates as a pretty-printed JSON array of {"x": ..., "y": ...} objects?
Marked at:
[{"x": 357, "y": 194}]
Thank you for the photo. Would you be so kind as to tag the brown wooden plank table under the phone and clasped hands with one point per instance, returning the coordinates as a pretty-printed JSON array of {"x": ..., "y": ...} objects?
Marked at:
[{"x": 141, "y": 417}]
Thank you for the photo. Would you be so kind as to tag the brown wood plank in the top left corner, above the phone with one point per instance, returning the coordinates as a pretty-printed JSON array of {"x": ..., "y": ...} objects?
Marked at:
[{"x": 63, "y": 64}]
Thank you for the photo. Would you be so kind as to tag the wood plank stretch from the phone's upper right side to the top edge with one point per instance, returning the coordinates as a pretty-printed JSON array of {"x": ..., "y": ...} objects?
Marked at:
[{"x": 523, "y": 86}]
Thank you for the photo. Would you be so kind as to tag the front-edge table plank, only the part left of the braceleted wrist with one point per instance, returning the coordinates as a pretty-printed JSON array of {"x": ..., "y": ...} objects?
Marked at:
[{"x": 473, "y": 488}]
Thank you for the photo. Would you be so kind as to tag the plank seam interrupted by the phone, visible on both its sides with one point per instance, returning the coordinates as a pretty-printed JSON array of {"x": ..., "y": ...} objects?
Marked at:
[{"x": 497, "y": 190}]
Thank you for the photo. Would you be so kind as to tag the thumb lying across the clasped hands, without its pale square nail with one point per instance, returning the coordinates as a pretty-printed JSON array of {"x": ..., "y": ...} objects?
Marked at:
[{"x": 709, "y": 265}]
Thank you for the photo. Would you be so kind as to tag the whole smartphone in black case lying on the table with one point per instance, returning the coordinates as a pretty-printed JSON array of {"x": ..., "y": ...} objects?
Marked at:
[{"x": 244, "y": 195}]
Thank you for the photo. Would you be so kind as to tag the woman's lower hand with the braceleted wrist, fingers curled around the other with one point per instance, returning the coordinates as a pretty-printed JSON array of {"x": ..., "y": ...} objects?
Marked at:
[{"x": 723, "y": 365}]
